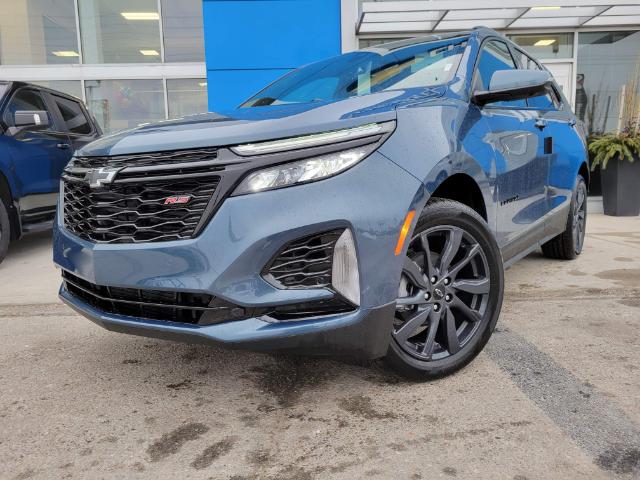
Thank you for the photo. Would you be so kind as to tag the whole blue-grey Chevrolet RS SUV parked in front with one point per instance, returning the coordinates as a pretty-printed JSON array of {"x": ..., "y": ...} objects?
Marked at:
[{"x": 363, "y": 205}]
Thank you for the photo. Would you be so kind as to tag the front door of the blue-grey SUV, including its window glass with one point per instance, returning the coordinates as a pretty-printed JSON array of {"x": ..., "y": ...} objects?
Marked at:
[{"x": 522, "y": 164}]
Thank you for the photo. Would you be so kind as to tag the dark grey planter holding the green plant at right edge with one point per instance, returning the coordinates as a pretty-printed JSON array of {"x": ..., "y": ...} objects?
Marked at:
[{"x": 621, "y": 188}]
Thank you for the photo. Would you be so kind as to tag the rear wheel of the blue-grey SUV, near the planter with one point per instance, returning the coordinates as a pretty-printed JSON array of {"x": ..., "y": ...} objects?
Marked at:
[{"x": 568, "y": 245}]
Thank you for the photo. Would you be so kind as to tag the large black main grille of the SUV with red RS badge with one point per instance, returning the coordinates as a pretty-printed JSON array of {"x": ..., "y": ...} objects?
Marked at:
[{"x": 132, "y": 208}]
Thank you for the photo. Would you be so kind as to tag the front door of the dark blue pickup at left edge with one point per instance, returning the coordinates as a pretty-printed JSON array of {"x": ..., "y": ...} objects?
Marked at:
[{"x": 37, "y": 155}]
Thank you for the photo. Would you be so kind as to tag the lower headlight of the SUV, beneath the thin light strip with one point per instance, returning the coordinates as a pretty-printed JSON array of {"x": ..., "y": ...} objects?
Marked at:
[{"x": 302, "y": 171}]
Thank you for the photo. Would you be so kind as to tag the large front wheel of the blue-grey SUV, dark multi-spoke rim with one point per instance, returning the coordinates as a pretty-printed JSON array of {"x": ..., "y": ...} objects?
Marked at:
[{"x": 418, "y": 350}]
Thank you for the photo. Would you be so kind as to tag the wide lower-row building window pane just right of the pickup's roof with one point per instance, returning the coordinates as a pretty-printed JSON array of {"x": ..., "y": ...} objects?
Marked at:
[{"x": 120, "y": 104}]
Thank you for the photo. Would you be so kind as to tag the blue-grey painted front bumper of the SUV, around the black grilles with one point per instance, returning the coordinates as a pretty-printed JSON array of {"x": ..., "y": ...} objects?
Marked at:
[{"x": 227, "y": 258}]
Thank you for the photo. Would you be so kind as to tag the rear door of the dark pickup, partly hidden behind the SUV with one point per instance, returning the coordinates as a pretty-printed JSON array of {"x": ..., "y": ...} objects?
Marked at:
[{"x": 75, "y": 120}]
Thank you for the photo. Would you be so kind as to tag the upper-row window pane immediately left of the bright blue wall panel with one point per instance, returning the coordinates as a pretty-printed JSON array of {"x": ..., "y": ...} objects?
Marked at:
[{"x": 182, "y": 25}]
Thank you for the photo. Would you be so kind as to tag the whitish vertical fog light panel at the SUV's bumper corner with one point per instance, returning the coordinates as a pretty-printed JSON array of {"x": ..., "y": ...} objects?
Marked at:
[{"x": 345, "y": 278}]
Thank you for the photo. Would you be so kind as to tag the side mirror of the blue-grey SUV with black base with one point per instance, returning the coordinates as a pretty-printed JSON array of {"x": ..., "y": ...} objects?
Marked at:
[{"x": 506, "y": 85}]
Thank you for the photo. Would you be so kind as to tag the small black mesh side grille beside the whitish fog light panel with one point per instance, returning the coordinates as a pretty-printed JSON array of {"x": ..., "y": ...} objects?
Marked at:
[{"x": 304, "y": 263}]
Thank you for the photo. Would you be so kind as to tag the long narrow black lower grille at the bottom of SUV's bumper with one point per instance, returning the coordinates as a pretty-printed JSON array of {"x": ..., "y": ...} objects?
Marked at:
[{"x": 182, "y": 307}]
